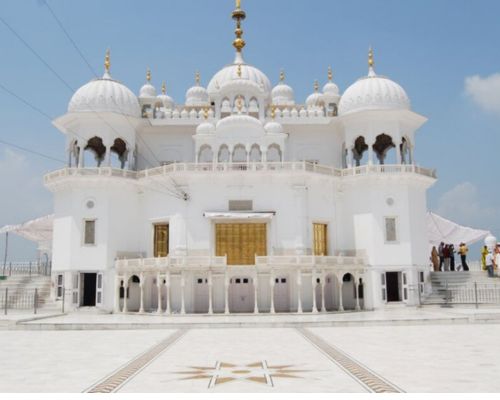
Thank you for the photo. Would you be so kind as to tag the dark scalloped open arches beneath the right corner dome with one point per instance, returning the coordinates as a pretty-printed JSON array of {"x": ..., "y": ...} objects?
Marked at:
[{"x": 383, "y": 148}]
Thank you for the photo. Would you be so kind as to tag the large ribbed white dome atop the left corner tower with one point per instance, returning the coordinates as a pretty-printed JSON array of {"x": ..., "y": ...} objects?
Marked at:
[{"x": 105, "y": 95}]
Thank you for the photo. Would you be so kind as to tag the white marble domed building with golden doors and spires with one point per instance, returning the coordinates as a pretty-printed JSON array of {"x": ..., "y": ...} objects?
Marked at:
[{"x": 241, "y": 199}]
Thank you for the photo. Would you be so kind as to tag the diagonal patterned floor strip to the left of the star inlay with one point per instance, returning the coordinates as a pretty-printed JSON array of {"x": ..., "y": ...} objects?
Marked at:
[{"x": 113, "y": 382}]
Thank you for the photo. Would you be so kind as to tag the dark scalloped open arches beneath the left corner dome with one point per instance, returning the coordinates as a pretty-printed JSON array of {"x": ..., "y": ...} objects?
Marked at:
[{"x": 96, "y": 153}]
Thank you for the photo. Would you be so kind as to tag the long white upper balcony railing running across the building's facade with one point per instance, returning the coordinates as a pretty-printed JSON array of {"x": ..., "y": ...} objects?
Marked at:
[{"x": 240, "y": 167}]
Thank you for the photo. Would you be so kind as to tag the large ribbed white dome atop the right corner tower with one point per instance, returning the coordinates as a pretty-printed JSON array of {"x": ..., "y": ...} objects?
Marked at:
[{"x": 373, "y": 92}]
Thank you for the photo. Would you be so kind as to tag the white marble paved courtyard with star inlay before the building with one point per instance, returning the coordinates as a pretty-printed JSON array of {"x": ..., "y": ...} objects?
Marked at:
[{"x": 411, "y": 358}]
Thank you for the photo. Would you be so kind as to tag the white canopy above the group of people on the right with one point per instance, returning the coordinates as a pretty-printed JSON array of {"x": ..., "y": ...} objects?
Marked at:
[{"x": 440, "y": 229}]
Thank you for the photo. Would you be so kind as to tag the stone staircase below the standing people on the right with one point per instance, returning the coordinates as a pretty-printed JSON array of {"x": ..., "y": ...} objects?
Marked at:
[{"x": 441, "y": 280}]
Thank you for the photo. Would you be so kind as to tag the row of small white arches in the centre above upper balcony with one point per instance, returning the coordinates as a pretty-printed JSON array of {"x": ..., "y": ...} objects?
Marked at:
[{"x": 240, "y": 153}]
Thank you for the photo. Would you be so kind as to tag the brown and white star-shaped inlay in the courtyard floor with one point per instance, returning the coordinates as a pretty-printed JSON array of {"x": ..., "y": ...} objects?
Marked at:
[{"x": 259, "y": 372}]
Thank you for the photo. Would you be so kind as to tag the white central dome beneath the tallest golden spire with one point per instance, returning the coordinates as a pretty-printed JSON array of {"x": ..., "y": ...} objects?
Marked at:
[{"x": 239, "y": 74}]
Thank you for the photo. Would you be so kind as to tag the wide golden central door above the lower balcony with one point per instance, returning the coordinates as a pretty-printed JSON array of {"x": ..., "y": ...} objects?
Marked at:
[{"x": 241, "y": 242}]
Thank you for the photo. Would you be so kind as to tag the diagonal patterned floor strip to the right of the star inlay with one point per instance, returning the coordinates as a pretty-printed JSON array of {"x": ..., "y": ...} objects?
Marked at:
[{"x": 366, "y": 377}]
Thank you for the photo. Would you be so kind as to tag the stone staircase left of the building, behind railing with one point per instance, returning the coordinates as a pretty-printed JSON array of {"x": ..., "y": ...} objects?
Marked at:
[{"x": 21, "y": 291}]
